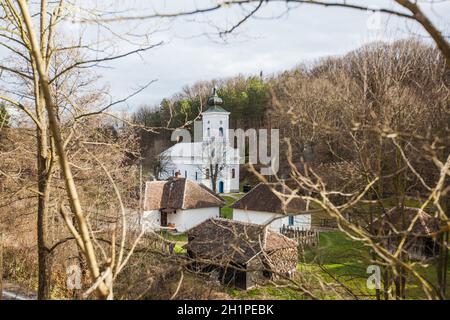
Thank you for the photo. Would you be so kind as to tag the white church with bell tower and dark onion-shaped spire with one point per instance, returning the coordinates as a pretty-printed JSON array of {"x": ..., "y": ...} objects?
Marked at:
[{"x": 211, "y": 158}]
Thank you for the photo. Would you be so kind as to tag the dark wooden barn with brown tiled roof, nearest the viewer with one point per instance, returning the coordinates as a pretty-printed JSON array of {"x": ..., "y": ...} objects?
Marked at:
[{"x": 243, "y": 254}]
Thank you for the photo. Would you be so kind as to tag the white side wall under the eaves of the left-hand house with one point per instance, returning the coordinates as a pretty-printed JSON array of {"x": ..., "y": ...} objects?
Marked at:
[{"x": 183, "y": 220}]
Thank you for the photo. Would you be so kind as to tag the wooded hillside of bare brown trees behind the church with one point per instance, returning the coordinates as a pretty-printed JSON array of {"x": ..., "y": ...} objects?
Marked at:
[{"x": 315, "y": 106}]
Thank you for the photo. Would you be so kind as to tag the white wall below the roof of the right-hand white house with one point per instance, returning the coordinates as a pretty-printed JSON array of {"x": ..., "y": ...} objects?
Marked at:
[{"x": 262, "y": 217}]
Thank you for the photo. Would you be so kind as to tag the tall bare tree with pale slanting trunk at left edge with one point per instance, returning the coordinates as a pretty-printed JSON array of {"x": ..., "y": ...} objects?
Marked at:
[{"x": 51, "y": 71}]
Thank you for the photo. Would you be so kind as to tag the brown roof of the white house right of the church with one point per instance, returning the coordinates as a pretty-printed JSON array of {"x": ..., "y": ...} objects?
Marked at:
[{"x": 262, "y": 198}]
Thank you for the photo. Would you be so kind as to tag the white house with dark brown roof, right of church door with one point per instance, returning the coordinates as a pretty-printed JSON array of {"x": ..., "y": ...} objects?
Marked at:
[{"x": 262, "y": 205}]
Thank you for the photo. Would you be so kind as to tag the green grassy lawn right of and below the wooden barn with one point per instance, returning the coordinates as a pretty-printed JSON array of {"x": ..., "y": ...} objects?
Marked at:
[{"x": 337, "y": 258}]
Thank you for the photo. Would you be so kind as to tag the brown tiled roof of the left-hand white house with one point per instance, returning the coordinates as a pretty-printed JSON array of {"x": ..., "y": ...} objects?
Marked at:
[{"x": 179, "y": 193}]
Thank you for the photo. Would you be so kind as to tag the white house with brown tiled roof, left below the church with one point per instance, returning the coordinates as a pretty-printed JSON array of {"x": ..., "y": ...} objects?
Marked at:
[{"x": 178, "y": 204}]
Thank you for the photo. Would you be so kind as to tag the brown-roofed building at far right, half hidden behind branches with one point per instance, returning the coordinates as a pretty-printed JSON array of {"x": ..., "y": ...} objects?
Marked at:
[{"x": 419, "y": 244}]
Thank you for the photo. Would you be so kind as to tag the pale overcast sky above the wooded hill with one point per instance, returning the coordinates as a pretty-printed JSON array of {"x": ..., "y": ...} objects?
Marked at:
[{"x": 263, "y": 43}]
